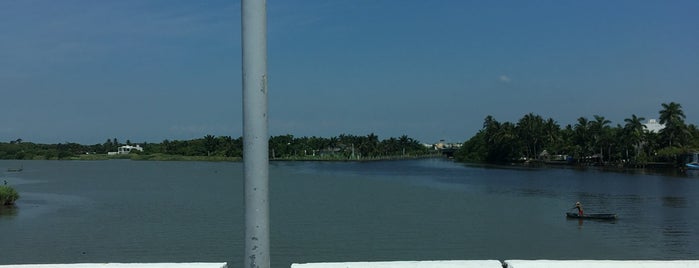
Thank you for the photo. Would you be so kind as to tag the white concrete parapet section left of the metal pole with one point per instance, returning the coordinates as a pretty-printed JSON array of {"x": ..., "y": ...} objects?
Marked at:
[{"x": 122, "y": 265}]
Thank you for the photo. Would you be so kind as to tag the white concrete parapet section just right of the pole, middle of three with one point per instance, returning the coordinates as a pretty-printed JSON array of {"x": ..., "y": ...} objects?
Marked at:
[{"x": 404, "y": 264}]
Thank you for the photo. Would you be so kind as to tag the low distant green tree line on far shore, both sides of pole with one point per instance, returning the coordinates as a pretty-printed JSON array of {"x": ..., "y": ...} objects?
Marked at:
[{"x": 344, "y": 146}]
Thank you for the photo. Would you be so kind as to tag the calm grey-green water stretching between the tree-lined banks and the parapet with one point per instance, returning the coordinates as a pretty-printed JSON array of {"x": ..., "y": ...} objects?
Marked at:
[{"x": 131, "y": 211}]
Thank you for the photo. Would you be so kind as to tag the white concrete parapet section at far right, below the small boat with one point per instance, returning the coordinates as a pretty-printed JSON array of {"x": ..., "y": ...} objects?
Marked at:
[{"x": 600, "y": 264}]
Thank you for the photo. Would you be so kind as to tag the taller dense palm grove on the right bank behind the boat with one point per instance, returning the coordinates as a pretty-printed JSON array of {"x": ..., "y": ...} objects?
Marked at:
[{"x": 593, "y": 140}]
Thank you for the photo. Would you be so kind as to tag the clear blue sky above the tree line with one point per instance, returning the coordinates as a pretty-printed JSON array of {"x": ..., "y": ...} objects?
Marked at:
[{"x": 149, "y": 70}]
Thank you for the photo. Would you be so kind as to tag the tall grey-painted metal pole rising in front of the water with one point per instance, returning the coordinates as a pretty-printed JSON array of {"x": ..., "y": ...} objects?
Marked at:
[{"x": 255, "y": 138}]
